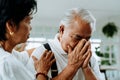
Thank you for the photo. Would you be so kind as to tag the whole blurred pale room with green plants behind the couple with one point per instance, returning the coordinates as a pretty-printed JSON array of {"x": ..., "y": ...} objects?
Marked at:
[{"x": 105, "y": 40}]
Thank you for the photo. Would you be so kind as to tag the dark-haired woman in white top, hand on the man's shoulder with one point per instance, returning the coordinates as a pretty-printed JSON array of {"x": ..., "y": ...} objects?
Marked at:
[{"x": 15, "y": 18}]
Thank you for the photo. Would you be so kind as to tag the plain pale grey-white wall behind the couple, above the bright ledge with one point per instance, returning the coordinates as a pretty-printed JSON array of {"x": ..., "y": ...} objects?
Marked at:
[{"x": 51, "y": 11}]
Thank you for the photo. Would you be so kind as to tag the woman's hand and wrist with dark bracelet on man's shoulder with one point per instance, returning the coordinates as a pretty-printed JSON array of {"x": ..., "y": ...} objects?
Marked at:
[{"x": 43, "y": 65}]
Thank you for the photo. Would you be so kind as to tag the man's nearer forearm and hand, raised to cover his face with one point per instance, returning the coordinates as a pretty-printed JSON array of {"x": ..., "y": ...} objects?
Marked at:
[{"x": 76, "y": 58}]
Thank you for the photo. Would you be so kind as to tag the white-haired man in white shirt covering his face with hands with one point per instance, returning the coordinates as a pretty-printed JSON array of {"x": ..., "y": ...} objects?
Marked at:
[{"x": 74, "y": 33}]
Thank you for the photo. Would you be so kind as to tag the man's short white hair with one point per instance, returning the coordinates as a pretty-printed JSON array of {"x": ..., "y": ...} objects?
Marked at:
[{"x": 81, "y": 14}]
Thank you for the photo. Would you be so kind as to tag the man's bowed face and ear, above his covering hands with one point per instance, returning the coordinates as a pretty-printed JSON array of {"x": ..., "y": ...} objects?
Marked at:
[{"x": 72, "y": 34}]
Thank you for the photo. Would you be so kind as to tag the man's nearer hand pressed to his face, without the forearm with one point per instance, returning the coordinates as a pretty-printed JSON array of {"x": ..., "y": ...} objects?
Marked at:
[{"x": 79, "y": 57}]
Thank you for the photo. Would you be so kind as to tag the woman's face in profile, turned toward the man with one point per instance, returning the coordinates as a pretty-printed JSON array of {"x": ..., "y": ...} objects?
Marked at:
[{"x": 22, "y": 33}]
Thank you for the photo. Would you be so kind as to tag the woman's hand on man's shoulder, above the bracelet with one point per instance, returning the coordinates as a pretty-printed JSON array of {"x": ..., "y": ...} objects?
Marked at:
[{"x": 43, "y": 65}]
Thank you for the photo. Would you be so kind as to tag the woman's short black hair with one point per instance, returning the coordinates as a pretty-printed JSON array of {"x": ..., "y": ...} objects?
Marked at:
[{"x": 15, "y": 10}]
